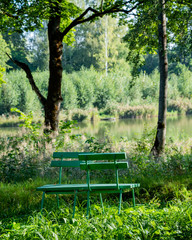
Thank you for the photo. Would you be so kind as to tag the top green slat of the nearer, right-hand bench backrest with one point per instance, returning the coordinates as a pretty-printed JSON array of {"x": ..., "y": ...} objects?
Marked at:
[{"x": 101, "y": 156}]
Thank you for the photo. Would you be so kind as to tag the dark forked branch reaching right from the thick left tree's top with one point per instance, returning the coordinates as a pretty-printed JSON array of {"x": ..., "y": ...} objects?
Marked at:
[{"x": 96, "y": 14}]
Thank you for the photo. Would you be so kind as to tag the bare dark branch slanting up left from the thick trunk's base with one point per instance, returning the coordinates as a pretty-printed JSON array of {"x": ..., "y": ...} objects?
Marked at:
[{"x": 25, "y": 67}]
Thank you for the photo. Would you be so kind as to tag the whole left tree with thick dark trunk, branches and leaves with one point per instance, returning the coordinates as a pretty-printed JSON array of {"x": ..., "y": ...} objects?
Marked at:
[{"x": 62, "y": 17}]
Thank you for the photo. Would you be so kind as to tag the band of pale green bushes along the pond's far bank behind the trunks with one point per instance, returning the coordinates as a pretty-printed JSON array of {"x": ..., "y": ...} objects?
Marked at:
[{"x": 111, "y": 94}]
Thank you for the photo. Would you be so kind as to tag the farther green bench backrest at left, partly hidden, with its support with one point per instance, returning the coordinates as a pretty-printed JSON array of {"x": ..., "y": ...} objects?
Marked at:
[{"x": 64, "y": 161}]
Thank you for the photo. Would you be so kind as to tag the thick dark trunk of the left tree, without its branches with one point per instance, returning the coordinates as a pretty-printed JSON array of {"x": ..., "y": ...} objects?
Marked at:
[{"x": 52, "y": 106}]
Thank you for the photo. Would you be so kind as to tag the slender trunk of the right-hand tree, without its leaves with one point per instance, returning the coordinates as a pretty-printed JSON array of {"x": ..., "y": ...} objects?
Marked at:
[{"x": 159, "y": 143}]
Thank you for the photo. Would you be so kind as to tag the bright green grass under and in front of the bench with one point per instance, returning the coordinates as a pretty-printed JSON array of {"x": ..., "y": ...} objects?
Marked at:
[{"x": 167, "y": 217}]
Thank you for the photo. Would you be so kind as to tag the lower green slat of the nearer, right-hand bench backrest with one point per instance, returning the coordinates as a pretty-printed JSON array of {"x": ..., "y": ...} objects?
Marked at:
[{"x": 103, "y": 165}]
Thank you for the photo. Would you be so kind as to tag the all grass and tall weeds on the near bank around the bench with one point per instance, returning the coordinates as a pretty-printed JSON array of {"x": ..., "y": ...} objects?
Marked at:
[{"x": 164, "y": 198}]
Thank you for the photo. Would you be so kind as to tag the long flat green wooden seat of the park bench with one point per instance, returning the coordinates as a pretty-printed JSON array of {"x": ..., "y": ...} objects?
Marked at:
[{"x": 80, "y": 187}]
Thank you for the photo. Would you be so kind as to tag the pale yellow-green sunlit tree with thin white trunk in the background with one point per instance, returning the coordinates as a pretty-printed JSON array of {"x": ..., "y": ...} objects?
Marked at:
[{"x": 107, "y": 46}]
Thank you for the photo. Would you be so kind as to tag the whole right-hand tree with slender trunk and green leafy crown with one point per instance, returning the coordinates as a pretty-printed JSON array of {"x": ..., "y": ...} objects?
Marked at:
[{"x": 148, "y": 34}]
